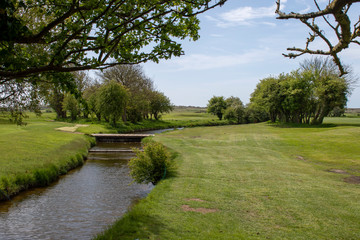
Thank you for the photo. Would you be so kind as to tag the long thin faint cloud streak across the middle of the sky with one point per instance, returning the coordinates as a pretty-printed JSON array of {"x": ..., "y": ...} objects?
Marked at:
[{"x": 203, "y": 62}]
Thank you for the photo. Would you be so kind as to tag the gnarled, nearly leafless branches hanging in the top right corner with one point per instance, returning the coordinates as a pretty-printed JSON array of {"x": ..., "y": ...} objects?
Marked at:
[{"x": 341, "y": 30}]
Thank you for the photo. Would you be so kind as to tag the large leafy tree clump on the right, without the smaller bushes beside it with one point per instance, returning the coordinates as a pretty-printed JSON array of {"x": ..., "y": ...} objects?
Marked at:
[{"x": 303, "y": 96}]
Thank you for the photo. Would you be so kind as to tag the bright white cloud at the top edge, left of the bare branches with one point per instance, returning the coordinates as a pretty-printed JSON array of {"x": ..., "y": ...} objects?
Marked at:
[{"x": 245, "y": 16}]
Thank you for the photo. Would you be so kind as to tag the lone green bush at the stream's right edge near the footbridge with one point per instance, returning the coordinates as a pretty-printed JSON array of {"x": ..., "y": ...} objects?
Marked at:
[{"x": 150, "y": 165}]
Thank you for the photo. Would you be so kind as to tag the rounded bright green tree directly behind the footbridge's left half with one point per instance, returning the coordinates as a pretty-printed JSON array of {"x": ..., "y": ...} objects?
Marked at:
[{"x": 112, "y": 99}]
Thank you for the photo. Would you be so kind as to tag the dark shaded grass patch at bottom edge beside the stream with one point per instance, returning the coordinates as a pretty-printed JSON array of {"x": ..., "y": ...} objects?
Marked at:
[{"x": 136, "y": 224}]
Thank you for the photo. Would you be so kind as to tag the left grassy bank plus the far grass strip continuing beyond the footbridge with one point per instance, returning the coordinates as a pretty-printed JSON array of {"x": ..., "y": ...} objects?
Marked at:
[{"x": 38, "y": 153}]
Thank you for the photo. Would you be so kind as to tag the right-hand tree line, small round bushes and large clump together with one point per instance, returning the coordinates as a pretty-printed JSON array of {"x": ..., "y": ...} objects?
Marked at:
[{"x": 306, "y": 95}]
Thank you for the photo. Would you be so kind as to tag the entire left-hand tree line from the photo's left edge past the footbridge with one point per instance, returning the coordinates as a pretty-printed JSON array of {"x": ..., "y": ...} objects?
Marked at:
[{"x": 121, "y": 92}]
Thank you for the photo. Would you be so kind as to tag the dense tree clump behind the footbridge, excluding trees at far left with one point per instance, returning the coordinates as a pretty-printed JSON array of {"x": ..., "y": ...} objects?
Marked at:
[{"x": 123, "y": 92}]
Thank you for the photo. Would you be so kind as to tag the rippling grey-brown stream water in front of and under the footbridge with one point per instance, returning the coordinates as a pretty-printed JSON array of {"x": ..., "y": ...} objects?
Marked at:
[{"x": 80, "y": 205}]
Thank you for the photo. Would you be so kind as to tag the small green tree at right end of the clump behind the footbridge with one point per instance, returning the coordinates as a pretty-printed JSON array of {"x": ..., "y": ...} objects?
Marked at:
[{"x": 159, "y": 103}]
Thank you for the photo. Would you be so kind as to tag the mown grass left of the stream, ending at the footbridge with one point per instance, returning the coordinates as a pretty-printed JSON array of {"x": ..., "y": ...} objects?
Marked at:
[{"x": 36, "y": 154}]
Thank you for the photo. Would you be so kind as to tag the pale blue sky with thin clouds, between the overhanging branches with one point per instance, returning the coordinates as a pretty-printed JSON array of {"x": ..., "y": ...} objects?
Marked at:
[{"x": 241, "y": 43}]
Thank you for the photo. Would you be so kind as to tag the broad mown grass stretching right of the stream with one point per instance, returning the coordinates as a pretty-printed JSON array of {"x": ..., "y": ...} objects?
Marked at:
[{"x": 255, "y": 181}]
